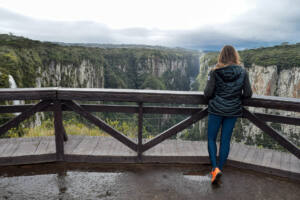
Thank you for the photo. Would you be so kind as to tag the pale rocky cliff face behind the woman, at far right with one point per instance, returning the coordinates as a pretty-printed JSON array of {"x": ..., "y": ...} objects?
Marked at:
[{"x": 265, "y": 80}]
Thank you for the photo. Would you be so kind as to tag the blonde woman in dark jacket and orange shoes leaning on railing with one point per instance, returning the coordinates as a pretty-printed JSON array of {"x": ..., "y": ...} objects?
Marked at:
[{"x": 227, "y": 84}]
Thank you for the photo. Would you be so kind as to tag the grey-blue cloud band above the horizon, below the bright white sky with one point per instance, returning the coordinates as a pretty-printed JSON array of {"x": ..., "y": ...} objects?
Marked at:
[{"x": 268, "y": 23}]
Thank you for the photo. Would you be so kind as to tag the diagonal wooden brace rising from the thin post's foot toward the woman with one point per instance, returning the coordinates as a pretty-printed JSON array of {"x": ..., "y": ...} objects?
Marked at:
[{"x": 175, "y": 129}]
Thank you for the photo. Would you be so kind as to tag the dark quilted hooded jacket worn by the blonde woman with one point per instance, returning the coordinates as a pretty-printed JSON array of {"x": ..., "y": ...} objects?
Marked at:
[{"x": 225, "y": 89}]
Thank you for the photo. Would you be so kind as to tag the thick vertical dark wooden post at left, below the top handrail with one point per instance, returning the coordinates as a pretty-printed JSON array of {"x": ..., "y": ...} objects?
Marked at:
[{"x": 59, "y": 131}]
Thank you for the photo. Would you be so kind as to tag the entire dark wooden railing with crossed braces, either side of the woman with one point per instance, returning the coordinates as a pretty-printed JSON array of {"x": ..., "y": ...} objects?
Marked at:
[{"x": 58, "y": 100}]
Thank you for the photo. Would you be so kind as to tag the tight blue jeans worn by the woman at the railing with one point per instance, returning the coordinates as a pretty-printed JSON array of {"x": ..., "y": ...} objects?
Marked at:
[{"x": 214, "y": 123}]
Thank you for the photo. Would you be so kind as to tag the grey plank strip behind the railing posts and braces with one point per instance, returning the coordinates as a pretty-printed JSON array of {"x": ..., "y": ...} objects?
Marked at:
[{"x": 96, "y": 149}]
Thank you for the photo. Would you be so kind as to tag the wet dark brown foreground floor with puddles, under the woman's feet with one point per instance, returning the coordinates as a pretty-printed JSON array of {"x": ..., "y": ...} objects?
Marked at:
[{"x": 130, "y": 182}]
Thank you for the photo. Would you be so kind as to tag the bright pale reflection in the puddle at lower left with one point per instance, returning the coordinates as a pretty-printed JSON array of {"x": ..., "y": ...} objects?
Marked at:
[{"x": 69, "y": 185}]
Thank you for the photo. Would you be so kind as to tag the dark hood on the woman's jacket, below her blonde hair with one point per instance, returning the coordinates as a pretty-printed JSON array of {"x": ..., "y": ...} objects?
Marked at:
[{"x": 229, "y": 73}]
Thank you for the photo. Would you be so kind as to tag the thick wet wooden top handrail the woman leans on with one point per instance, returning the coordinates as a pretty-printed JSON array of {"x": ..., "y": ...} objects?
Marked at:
[{"x": 145, "y": 96}]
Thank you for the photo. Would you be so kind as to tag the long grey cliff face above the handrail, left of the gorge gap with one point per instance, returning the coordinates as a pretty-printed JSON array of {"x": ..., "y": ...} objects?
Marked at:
[{"x": 89, "y": 75}]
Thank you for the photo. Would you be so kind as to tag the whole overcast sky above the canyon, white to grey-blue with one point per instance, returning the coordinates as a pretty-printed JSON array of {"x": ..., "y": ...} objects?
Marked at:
[{"x": 196, "y": 24}]
